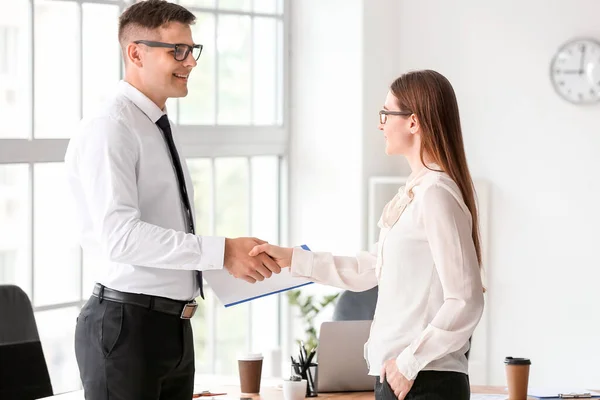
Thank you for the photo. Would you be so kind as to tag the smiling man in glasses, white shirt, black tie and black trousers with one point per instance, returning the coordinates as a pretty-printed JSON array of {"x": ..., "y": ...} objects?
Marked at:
[{"x": 134, "y": 202}]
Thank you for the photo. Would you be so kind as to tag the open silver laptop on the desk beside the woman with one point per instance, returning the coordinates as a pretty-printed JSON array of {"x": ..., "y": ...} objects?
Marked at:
[{"x": 341, "y": 363}]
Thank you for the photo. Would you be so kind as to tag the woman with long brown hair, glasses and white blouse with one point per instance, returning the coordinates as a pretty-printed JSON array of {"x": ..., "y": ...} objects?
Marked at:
[{"x": 428, "y": 259}]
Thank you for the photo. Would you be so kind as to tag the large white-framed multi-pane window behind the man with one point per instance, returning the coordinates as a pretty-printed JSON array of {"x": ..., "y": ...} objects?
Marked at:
[{"x": 232, "y": 133}]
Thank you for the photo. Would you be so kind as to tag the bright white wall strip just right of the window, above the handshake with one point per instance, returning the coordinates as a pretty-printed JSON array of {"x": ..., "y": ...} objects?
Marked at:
[{"x": 325, "y": 153}]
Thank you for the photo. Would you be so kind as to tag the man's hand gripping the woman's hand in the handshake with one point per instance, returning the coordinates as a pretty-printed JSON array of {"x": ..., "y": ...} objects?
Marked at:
[{"x": 241, "y": 265}]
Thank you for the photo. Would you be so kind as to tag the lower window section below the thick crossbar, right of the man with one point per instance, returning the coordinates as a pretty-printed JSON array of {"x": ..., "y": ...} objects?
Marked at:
[{"x": 235, "y": 196}]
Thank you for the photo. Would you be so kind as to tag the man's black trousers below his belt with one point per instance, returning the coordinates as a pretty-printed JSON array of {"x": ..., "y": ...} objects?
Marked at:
[{"x": 127, "y": 352}]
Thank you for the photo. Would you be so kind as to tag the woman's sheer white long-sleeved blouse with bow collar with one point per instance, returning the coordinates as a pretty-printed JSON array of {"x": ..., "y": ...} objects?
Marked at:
[{"x": 430, "y": 290}]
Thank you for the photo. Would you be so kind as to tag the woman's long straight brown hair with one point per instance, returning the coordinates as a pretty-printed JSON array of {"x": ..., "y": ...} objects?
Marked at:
[{"x": 430, "y": 96}]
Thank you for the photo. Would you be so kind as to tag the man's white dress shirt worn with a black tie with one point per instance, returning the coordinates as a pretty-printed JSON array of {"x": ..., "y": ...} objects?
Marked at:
[{"x": 128, "y": 205}]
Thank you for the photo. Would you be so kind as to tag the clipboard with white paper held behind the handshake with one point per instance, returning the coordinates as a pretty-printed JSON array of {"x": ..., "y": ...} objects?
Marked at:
[{"x": 232, "y": 291}]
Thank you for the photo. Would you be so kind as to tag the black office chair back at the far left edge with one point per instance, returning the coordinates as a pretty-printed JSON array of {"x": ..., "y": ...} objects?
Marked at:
[{"x": 23, "y": 370}]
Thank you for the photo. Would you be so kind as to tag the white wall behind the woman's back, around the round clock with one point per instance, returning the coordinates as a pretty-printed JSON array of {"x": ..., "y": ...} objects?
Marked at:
[{"x": 540, "y": 156}]
